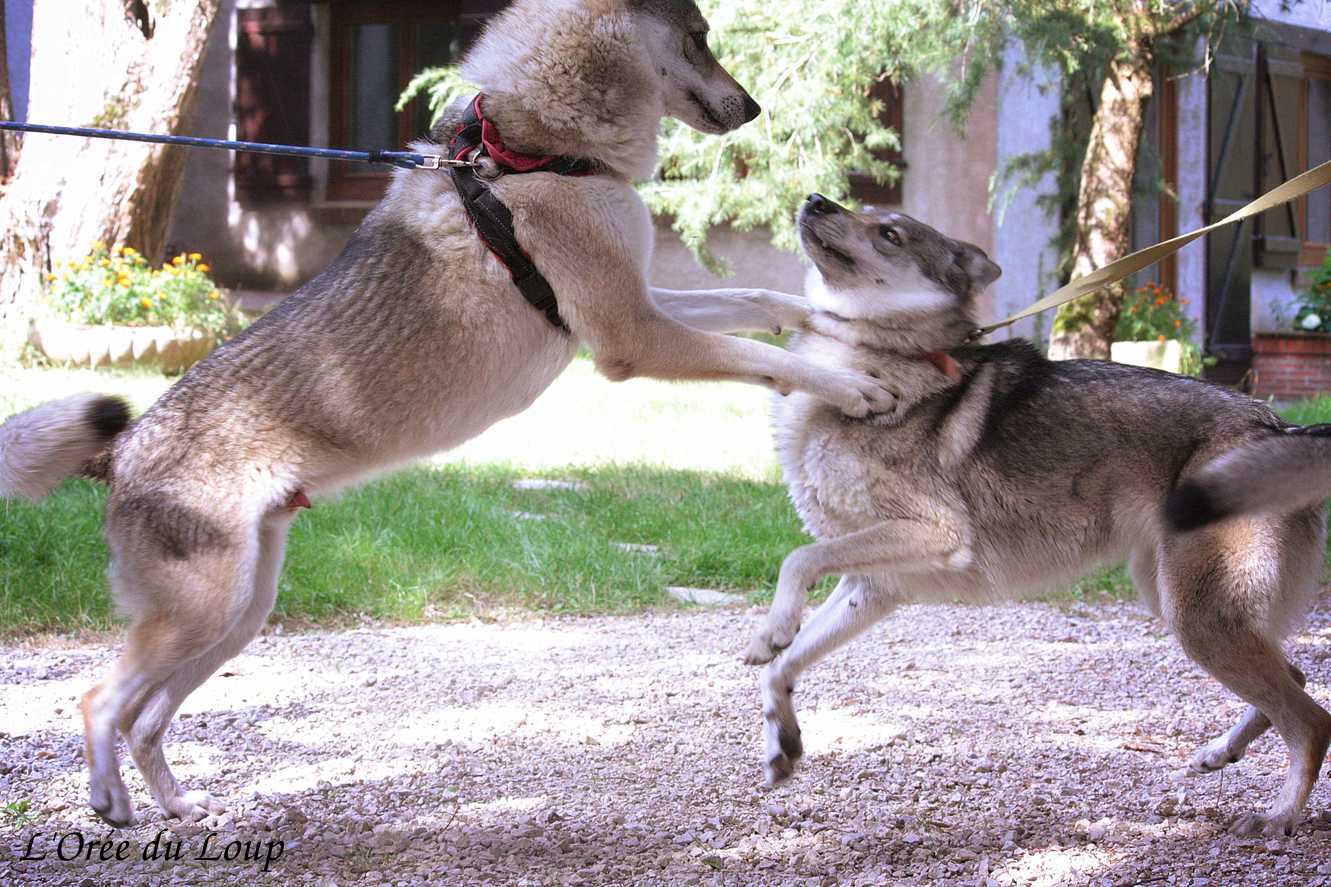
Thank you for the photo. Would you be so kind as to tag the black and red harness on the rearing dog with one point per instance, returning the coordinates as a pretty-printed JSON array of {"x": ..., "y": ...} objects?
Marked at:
[{"x": 477, "y": 138}]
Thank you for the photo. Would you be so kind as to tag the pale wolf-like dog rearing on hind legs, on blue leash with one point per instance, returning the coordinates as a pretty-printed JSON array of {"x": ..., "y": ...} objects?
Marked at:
[{"x": 412, "y": 342}]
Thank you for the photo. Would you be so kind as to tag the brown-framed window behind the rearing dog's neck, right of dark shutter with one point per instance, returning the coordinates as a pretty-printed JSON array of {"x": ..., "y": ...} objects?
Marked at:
[{"x": 376, "y": 50}]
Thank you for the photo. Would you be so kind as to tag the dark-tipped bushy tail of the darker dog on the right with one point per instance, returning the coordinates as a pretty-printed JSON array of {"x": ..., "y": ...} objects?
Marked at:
[{"x": 1281, "y": 473}]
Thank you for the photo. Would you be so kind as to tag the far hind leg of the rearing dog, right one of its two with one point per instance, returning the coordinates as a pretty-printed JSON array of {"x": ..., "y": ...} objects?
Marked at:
[{"x": 147, "y": 727}]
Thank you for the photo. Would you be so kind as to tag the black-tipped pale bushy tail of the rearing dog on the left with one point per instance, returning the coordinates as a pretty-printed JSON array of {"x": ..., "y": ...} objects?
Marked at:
[{"x": 50, "y": 443}]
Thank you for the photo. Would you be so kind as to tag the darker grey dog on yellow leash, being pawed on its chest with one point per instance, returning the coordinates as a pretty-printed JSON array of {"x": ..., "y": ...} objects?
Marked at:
[{"x": 1004, "y": 472}]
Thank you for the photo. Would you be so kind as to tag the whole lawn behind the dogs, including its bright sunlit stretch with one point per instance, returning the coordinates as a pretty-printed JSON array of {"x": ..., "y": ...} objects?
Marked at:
[{"x": 664, "y": 485}]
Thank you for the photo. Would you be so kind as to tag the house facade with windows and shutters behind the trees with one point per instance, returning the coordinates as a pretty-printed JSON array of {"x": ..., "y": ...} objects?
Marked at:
[{"x": 328, "y": 73}]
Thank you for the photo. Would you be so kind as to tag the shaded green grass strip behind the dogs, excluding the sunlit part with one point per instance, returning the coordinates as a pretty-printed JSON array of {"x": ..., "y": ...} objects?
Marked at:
[{"x": 439, "y": 543}]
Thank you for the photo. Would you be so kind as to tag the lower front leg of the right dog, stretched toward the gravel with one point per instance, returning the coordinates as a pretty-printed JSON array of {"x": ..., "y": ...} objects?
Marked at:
[{"x": 854, "y": 607}]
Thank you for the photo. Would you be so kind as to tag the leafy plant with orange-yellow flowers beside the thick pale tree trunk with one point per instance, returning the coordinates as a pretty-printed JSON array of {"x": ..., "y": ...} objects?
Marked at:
[{"x": 119, "y": 287}]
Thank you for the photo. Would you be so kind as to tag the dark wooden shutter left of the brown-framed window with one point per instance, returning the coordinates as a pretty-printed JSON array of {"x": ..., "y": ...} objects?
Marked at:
[{"x": 274, "y": 101}]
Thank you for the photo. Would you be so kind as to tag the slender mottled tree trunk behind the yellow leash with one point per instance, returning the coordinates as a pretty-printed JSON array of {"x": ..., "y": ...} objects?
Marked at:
[{"x": 1085, "y": 328}]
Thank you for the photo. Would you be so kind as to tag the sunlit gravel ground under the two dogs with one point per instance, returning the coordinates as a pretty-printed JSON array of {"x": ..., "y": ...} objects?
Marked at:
[{"x": 1022, "y": 744}]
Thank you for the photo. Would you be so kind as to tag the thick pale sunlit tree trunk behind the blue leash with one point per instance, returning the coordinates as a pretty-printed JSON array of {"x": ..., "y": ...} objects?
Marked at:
[{"x": 115, "y": 66}]
